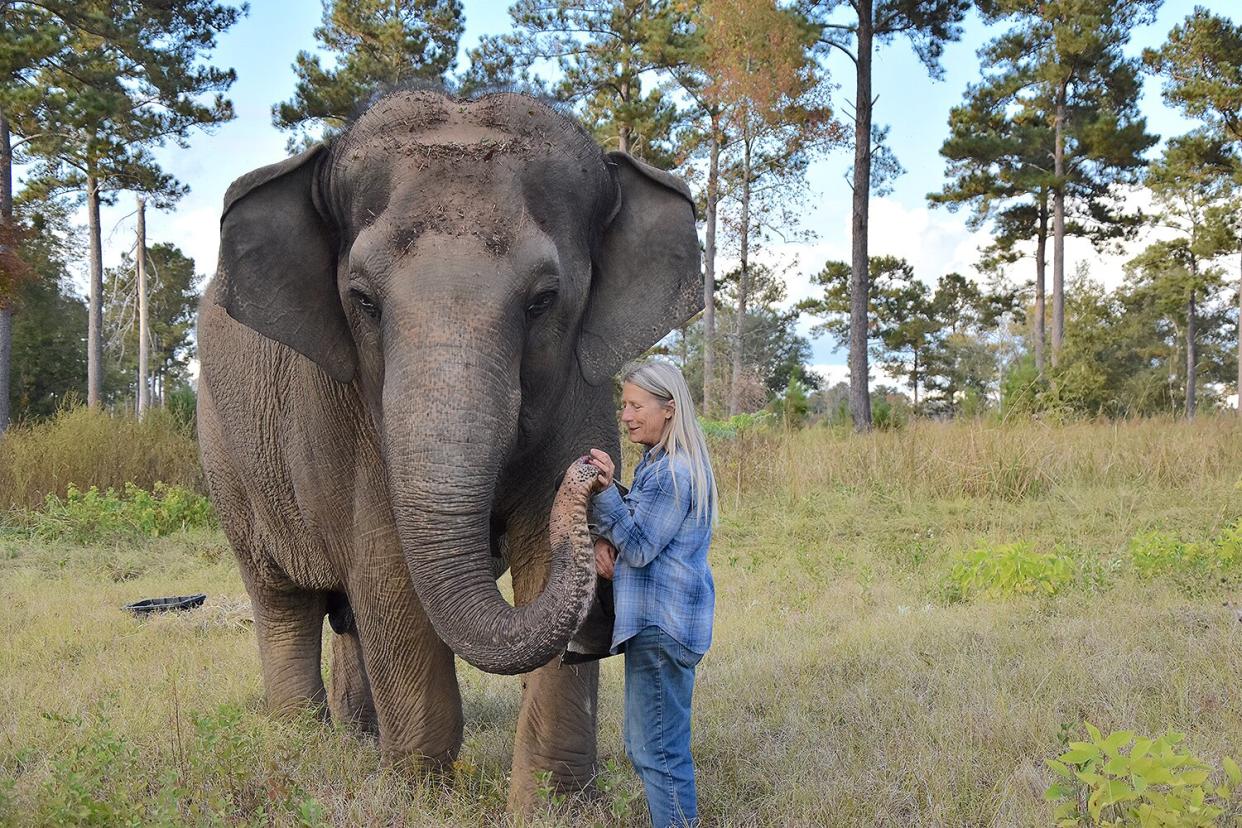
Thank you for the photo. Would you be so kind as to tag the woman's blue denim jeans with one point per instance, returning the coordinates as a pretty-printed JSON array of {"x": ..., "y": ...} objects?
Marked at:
[{"x": 659, "y": 685}]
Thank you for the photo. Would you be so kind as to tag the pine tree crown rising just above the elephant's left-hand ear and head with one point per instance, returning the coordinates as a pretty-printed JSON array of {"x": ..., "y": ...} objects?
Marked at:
[{"x": 377, "y": 45}]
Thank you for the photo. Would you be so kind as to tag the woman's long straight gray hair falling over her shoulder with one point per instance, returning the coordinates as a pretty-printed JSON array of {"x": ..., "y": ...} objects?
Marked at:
[{"x": 684, "y": 436}]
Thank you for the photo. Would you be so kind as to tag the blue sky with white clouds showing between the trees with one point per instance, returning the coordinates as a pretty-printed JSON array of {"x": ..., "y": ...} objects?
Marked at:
[{"x": 263, "y": 47}]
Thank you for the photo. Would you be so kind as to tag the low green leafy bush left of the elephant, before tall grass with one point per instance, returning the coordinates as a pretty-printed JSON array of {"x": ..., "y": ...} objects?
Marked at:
[{"x": 85, "y": 517}]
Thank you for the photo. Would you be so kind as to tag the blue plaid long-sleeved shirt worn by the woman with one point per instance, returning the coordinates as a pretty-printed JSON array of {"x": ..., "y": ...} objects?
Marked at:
[{"x": 663, "y": 577}]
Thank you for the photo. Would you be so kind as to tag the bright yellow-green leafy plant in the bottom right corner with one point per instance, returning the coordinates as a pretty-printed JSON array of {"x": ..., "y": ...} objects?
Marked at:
[{"x": 1154, "y": 783}]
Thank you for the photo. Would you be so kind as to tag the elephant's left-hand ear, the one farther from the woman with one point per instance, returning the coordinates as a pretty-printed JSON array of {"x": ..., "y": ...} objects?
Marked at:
[{"x": 278, "y": 271}]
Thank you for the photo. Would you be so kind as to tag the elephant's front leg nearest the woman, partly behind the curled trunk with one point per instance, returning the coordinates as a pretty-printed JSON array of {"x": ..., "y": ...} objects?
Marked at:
[{"x": 558, "y": 722}]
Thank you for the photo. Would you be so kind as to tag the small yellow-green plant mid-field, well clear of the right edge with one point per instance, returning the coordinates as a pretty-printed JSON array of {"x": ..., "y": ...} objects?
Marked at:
[{"x": 1009, "y": 570}]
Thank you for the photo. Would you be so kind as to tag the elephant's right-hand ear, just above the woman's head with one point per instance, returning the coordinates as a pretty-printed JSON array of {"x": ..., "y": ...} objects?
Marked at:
[{"x": 648, "y": 280}]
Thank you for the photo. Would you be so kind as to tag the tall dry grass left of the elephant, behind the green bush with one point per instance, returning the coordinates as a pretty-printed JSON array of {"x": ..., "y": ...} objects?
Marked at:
[{"x": 88, "y": 449}]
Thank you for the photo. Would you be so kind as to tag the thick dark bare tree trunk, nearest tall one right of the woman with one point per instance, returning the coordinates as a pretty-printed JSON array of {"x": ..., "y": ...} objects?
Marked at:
[{"x": 860, "y": 275}]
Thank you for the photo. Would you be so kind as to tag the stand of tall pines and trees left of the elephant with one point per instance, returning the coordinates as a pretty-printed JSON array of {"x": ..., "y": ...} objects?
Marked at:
[{"x": 88, "y": 90}]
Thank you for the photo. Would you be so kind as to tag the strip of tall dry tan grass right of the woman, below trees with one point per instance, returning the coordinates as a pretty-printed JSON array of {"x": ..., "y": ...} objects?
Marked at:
[{"x": 982, "y": 460}]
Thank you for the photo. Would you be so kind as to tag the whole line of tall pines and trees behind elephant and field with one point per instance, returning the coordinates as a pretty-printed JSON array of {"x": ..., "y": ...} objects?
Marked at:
[{"x": 738, "y": 97}]
